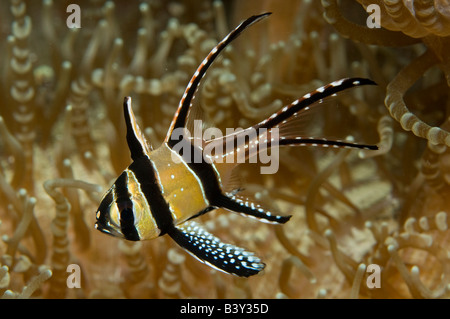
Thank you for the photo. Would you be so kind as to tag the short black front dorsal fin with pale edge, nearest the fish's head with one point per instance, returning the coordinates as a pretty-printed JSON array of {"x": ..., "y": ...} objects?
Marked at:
[{"x": 137, "y": 143}]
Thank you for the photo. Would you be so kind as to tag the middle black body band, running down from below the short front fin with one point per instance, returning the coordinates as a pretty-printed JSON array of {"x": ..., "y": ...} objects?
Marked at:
[{"x": 146, "y": 176}]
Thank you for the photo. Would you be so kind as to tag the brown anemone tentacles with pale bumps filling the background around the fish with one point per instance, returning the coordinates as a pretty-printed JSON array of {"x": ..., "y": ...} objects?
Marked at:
[{"x": 62, "y": 144}]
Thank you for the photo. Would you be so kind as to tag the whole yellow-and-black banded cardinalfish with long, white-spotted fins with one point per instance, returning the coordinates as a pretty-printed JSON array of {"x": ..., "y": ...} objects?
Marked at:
[{"x": 165, "y": 188}]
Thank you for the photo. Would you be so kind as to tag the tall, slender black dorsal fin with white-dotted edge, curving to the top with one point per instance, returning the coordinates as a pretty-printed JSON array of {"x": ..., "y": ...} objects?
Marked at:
[{"x": 180, "y": 117}]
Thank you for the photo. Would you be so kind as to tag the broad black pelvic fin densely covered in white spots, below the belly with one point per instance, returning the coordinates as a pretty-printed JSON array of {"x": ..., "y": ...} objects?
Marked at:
[{"x": 210, "y": 250}]
